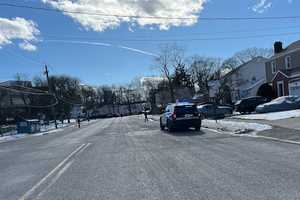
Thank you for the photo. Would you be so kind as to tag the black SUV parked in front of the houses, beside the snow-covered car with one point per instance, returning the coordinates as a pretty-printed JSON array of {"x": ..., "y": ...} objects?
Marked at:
[{"x": 249, "y": 105}]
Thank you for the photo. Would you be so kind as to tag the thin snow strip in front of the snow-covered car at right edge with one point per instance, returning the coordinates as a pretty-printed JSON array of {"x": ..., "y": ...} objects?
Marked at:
[{"x": 271, "y": 116}]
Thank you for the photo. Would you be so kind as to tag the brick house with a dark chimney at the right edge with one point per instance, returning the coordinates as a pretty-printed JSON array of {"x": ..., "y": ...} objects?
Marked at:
[{"x": 283, "y": 69}]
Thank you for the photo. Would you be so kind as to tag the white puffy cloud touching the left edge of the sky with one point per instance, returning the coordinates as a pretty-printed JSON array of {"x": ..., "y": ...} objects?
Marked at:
[{"x": 18, "y": 29}]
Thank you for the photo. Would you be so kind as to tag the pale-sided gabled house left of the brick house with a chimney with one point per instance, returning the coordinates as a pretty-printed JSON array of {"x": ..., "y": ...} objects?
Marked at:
[{"x": 242, "y": 82}]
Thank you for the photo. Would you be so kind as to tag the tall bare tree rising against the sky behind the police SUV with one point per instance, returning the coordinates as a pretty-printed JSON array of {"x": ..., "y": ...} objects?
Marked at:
[{"x": 170, "y": 57}]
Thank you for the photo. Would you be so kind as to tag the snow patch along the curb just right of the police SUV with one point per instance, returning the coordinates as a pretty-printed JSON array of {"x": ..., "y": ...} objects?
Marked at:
[{"x": 235, "y": 127}]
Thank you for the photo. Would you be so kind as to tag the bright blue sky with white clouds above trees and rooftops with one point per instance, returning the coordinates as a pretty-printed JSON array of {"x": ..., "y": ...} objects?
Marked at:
[{"x": 70, "y": 44}]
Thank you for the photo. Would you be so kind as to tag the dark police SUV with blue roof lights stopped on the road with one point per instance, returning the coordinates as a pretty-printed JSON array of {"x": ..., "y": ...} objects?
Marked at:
[{"x": 180, "y": 115}]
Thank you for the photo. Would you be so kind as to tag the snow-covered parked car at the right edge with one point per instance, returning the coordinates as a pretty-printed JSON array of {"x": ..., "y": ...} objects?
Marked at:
[{"x": 280, "y": 104}]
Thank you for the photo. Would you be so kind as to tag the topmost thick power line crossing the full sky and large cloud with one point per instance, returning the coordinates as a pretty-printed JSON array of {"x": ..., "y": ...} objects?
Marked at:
[{"x": 149, "y": 17}]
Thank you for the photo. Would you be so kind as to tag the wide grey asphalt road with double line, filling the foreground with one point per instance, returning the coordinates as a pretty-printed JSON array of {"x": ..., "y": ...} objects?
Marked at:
[{"x": 127, "y": 159}]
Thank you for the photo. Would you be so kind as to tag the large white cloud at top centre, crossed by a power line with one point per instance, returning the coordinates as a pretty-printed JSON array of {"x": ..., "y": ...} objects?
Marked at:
[{"x": 150, "y": 8}]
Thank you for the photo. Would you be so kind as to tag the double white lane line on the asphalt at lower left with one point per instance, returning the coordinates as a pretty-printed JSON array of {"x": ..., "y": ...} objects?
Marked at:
[{"x": 36, "y": 186}]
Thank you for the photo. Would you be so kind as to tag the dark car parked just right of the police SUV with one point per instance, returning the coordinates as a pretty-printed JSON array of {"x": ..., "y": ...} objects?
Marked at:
[{"x": 214, "y": 111}]
